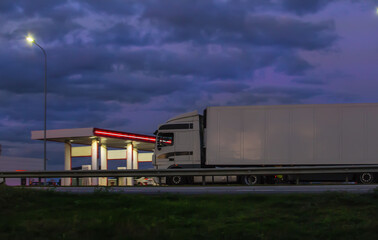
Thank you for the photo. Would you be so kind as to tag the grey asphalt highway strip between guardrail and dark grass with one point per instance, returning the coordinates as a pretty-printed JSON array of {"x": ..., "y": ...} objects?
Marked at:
[{"x": 195, "y": 190}]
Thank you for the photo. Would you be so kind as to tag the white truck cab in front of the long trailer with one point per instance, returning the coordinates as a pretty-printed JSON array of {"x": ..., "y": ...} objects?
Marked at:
[{"x": 178, "y": 142}]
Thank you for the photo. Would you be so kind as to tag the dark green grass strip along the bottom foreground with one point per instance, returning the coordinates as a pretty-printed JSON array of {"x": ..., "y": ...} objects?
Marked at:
[{"x": 32, "y": 214}]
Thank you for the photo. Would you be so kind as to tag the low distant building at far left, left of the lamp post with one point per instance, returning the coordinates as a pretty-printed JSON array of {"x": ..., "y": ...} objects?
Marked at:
[{"x": 20, "y": 164}]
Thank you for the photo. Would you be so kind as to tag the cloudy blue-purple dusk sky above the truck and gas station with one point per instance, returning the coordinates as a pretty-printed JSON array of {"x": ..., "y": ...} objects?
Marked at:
[{"x": 131, "y": 65}]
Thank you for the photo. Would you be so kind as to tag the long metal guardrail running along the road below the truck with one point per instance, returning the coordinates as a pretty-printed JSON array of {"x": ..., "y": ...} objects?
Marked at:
[{"x": 193, "y": 172}]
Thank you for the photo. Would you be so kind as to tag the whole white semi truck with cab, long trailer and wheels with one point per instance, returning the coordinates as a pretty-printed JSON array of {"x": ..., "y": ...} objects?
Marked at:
[{"x": 271, "y": 136}]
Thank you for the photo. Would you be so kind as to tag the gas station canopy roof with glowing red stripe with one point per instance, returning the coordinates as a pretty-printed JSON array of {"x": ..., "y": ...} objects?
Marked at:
[{"x": 110, "y": 138}]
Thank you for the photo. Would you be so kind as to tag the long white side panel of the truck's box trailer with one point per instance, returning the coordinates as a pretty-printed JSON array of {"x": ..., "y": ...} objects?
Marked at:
[{"x": 292, "y": 135}]
